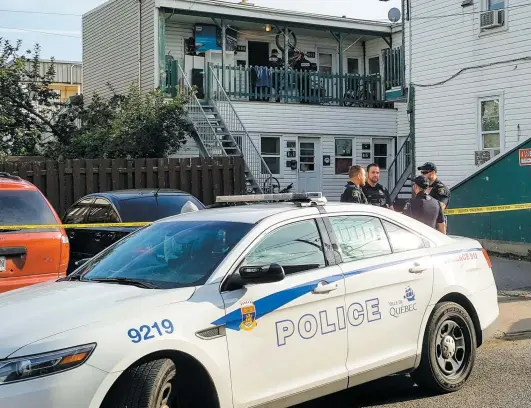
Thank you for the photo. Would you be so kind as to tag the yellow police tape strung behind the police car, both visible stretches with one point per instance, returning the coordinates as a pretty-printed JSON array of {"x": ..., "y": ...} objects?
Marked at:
[{"x": 451, "y": 211}]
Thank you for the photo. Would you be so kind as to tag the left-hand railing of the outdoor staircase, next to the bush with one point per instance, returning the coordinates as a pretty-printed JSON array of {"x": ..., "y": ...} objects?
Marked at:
[{"x": 206, "y": 137}]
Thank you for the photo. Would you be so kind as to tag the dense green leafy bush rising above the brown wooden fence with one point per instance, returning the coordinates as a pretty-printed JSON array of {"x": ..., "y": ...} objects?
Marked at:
[{"x": 132, "y": 125}]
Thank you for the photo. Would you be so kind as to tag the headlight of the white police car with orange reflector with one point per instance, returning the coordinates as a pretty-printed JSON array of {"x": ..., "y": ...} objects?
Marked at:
[{"x": 40, "y": 365}]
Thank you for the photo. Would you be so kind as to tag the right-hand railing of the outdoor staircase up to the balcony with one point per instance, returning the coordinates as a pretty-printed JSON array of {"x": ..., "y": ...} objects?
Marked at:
[{"x": 255, "y": 163}]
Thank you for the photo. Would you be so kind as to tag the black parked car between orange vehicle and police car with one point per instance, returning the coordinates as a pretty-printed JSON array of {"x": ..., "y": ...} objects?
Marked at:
[{"x": 118, "y": 206}]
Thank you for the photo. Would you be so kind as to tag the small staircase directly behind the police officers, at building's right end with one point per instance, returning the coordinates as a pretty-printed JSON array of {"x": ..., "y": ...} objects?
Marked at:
[{"x": 399, "y": 185}]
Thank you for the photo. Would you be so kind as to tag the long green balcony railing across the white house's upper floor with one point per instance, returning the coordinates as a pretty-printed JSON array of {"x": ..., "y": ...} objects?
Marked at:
[{"x": 310, "y": 87}]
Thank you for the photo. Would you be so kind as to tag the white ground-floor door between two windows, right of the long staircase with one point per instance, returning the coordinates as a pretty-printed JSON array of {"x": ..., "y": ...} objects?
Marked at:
[{"x": 309, "y": 174}]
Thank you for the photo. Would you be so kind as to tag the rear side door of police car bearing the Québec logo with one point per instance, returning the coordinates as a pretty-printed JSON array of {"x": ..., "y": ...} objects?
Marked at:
[{"x": 388, "y": 281}]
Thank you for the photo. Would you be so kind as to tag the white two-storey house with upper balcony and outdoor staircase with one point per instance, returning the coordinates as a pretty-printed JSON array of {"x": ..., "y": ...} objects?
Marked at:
[{"x": 356, "y": 112}]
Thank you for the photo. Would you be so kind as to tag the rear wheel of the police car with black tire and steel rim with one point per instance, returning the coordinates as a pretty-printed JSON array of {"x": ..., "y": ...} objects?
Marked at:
[{"x": 437, "y": 370}]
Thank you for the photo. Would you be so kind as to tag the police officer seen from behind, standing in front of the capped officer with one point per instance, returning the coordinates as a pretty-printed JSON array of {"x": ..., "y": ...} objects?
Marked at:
[{"x": 425, "y": 208}]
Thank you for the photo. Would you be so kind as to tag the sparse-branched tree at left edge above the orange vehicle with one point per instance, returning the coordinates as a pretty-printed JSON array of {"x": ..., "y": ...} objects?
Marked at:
[{"x": 27, "y": 104}]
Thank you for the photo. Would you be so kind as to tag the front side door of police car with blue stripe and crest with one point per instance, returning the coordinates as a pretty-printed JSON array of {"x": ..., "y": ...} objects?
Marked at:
[{"x": 288, "y": 337}]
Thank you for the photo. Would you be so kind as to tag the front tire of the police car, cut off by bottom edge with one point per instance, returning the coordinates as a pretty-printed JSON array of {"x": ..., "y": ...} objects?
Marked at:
[{"x": 145, "y": 386}]
